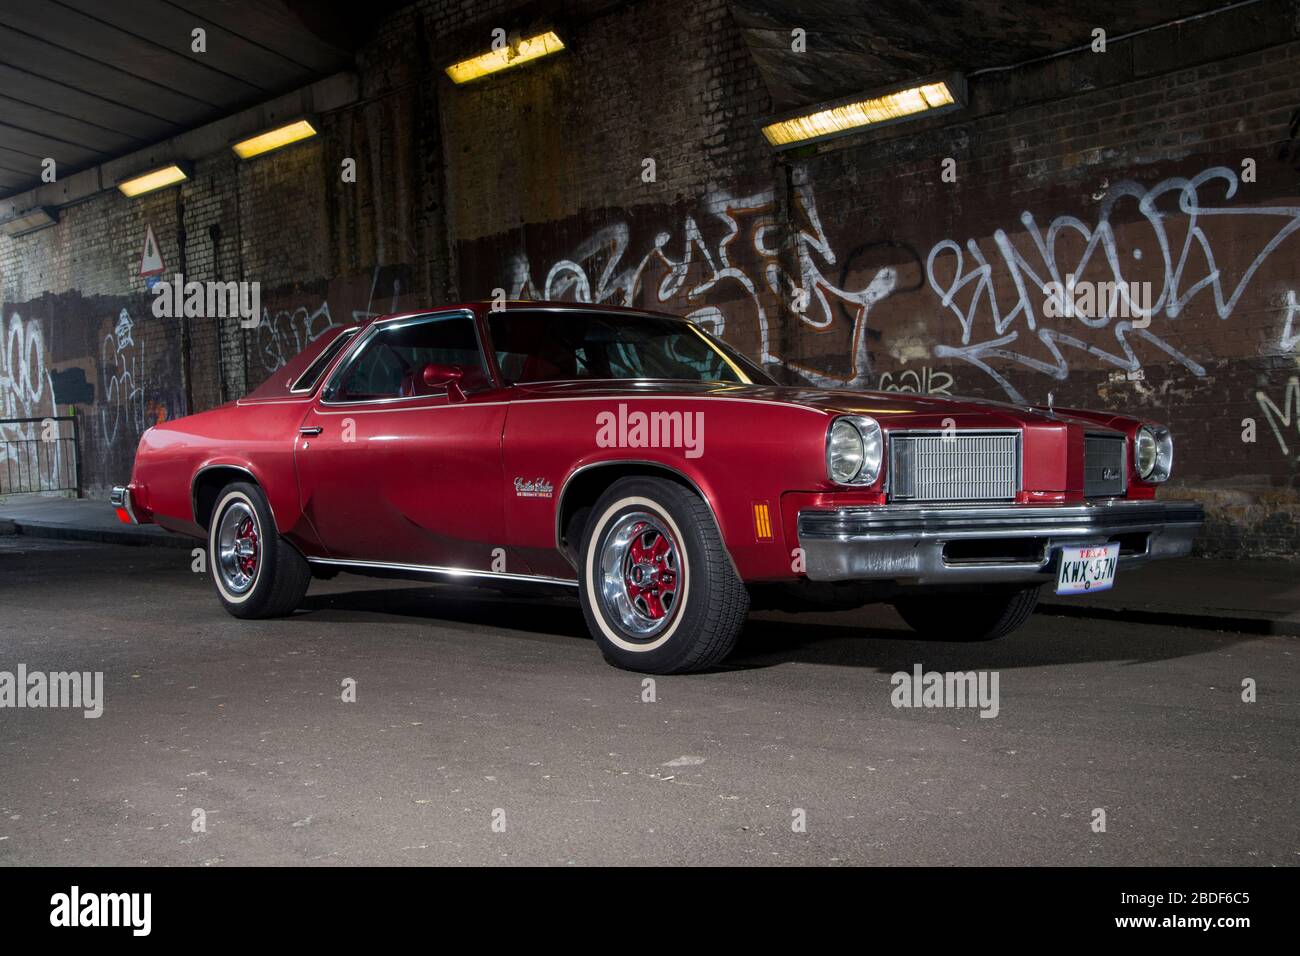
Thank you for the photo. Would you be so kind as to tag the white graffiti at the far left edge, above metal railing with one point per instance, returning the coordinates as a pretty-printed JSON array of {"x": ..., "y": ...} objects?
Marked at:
[{"x": 27, "y": 392}]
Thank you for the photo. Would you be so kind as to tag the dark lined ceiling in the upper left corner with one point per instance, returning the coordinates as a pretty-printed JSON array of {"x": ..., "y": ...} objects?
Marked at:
[{"x": 85, "y": 81}]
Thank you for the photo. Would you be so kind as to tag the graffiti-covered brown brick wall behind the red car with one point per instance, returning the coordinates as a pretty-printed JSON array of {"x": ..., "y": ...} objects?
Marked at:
[{"x": 534, "y": 183}]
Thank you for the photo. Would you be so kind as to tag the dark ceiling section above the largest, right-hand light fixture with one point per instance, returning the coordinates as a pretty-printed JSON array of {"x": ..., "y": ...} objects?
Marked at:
[{"x": 856, "y": 46}]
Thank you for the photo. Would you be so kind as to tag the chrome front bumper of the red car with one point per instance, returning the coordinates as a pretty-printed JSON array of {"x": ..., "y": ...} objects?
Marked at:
[{"x": 976, "y": 544}]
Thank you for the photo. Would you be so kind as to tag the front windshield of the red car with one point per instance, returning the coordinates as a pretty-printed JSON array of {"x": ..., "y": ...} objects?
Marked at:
[{"x": 535, "y": 347}]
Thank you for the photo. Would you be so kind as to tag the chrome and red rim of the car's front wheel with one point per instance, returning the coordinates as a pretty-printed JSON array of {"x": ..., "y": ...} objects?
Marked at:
[{"x": 643, "y": 577}]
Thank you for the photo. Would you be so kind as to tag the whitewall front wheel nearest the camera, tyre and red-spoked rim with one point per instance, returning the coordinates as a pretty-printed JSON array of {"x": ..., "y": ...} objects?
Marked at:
[{"x": 658, "y": 589}]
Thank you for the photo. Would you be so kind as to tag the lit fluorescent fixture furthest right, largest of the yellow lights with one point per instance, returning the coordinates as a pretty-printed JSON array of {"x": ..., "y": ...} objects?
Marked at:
[{"x": 892, "y": 105}]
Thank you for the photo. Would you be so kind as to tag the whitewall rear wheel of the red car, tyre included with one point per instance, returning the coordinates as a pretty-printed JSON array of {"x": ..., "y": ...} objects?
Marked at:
[{"x": 255, "y": 572}]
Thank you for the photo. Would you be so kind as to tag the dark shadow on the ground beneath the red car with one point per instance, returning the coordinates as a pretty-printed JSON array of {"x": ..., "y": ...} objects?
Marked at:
[{"x": 879, "y": 642}]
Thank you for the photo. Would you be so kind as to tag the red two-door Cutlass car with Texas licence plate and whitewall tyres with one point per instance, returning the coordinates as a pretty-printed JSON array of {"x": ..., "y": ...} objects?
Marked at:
[{"x": 655, "y": 469}]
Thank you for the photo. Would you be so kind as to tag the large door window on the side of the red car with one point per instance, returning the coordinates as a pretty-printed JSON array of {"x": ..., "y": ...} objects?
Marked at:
[{"x": 391, "y": 364}]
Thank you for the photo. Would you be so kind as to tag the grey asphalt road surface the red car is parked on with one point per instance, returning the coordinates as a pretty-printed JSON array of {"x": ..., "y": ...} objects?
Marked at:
[{"x": 487, "y": 729}]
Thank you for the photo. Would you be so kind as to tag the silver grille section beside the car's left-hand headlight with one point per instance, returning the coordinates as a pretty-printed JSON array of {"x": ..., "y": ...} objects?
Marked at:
[{"x": 968, "y": 466}]
